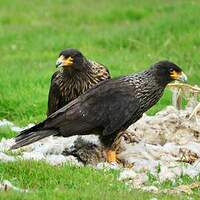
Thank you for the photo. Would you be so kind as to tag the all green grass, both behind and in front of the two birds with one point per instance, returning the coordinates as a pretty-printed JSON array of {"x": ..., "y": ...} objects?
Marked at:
[{"x": 125, "y": 35}]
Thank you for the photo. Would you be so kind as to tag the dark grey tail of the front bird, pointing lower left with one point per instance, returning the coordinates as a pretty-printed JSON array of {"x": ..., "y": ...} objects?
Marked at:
[{"x": 31, "y": 135}]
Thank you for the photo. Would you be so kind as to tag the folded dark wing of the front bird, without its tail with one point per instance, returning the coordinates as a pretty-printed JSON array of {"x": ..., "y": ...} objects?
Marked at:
[{"x": 107, "y": 106}]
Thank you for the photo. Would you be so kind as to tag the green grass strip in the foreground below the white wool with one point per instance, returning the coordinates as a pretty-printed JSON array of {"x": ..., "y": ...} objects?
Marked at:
[{"x": 68, "y": 182}]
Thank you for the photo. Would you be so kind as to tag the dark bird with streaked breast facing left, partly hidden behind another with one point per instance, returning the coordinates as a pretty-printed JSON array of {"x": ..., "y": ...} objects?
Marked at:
[{"x": 76, "y": 75}]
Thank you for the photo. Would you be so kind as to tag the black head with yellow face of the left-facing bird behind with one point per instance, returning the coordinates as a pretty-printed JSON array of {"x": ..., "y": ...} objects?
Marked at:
[{"x": 70, "y": 58}]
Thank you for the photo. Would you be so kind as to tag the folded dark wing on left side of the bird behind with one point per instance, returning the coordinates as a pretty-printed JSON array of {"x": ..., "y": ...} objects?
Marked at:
[{"x": 54, "y": 95}]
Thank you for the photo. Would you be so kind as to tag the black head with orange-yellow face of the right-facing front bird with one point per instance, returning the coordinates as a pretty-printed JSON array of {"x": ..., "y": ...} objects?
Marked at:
[{"x": 167, "y": 72}]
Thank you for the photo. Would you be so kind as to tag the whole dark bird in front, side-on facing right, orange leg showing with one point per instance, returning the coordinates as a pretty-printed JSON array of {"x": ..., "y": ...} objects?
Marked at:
[{"x": 107, "y": 108}]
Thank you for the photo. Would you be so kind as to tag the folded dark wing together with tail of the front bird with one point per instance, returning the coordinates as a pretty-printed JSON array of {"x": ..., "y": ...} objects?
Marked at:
[{"x": 107, "y": 108}]
